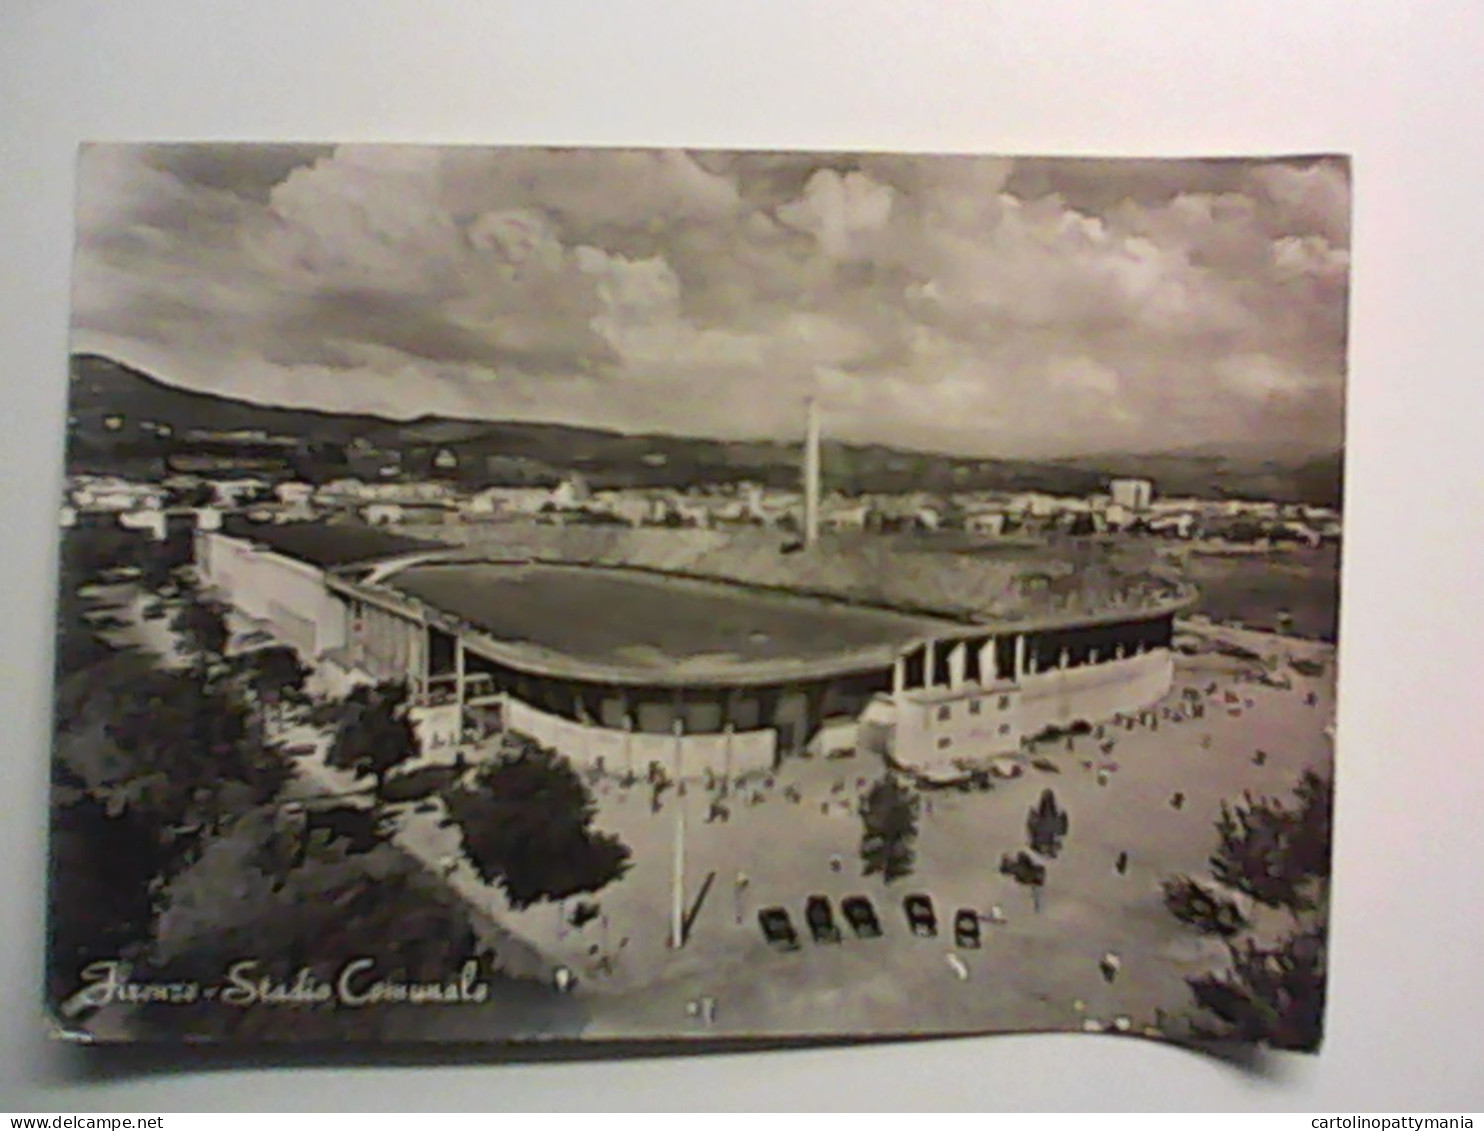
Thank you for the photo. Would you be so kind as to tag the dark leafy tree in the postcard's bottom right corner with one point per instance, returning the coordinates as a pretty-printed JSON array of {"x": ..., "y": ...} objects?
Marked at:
[{"x": 1273, "y": 995}]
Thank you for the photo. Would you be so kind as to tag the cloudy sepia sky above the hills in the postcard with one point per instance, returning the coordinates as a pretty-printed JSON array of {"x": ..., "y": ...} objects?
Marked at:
[{"x": 968, "y": 305}]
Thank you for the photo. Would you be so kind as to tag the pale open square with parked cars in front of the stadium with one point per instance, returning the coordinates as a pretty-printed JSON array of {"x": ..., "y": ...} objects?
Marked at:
[{"x": 1037, "y": 970}]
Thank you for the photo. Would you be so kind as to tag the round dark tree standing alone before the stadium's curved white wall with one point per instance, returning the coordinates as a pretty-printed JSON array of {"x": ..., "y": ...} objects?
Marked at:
[{"x": 528, "y": 826}]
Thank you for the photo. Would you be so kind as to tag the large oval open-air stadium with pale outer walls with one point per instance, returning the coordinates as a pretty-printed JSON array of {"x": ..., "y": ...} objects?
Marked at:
[{"x": 701, "y": 651}]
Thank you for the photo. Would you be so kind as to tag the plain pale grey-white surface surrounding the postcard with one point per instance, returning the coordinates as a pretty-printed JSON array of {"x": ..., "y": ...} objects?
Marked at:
[{"x": 1397, "y": 85}]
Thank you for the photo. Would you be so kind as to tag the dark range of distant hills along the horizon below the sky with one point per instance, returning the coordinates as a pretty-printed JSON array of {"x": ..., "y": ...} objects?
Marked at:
[{"x": 125, "y": 421}]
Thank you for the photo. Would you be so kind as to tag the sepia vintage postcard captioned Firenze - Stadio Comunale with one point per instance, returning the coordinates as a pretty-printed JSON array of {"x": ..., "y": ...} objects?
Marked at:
[{"x": 523, "y": 594}]
